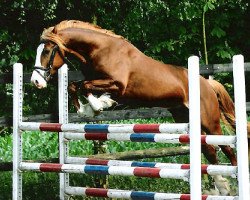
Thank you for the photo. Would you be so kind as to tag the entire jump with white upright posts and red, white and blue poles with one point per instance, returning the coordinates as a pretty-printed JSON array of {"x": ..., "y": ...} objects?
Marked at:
[{"x": 164, "y": 133}]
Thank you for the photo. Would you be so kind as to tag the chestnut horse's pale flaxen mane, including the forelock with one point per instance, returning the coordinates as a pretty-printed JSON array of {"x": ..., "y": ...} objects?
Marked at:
[{"x": 51, "y": 32}]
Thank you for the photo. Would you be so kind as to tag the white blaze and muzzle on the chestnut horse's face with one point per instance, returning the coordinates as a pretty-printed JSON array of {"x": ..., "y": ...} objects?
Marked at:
[{"x": 37, "y": 75}]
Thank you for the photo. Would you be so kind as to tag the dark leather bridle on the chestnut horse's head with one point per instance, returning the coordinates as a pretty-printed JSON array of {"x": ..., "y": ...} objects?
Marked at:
[{"x": 47, "y": 75}]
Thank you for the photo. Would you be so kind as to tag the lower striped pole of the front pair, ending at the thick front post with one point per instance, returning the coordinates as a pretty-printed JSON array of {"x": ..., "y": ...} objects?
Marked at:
[{"x": 107, "y": 170}]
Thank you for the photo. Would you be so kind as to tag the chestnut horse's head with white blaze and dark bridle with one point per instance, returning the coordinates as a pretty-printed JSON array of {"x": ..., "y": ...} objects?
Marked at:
[{"x": 49, "y": 59}]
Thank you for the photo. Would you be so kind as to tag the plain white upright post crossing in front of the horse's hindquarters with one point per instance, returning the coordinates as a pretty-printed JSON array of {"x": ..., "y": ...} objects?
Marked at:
[{"x": 195, "y": 127}]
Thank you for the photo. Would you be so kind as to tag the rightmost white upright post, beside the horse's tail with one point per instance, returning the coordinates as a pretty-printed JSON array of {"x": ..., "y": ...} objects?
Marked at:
[{"x": 241, "y": 126}]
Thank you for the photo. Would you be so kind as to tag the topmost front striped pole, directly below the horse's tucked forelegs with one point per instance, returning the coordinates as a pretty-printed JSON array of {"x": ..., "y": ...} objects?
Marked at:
[{"x": 105, "y": 128}]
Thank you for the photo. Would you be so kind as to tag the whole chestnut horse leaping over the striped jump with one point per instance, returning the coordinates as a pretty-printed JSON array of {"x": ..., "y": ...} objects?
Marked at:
[{"x": 111, "y": 64}]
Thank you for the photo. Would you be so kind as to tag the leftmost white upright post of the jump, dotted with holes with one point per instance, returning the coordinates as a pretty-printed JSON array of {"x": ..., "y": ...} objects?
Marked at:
[{"x": 17, "y": 140}]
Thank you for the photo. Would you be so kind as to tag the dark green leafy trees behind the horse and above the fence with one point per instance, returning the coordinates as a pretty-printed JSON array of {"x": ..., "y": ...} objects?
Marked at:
[{"x": 169, "y": 31}]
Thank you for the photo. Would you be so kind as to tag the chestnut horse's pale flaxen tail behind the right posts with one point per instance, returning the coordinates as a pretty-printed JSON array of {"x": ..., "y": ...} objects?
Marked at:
[{"x": 226, "y": 105}]
